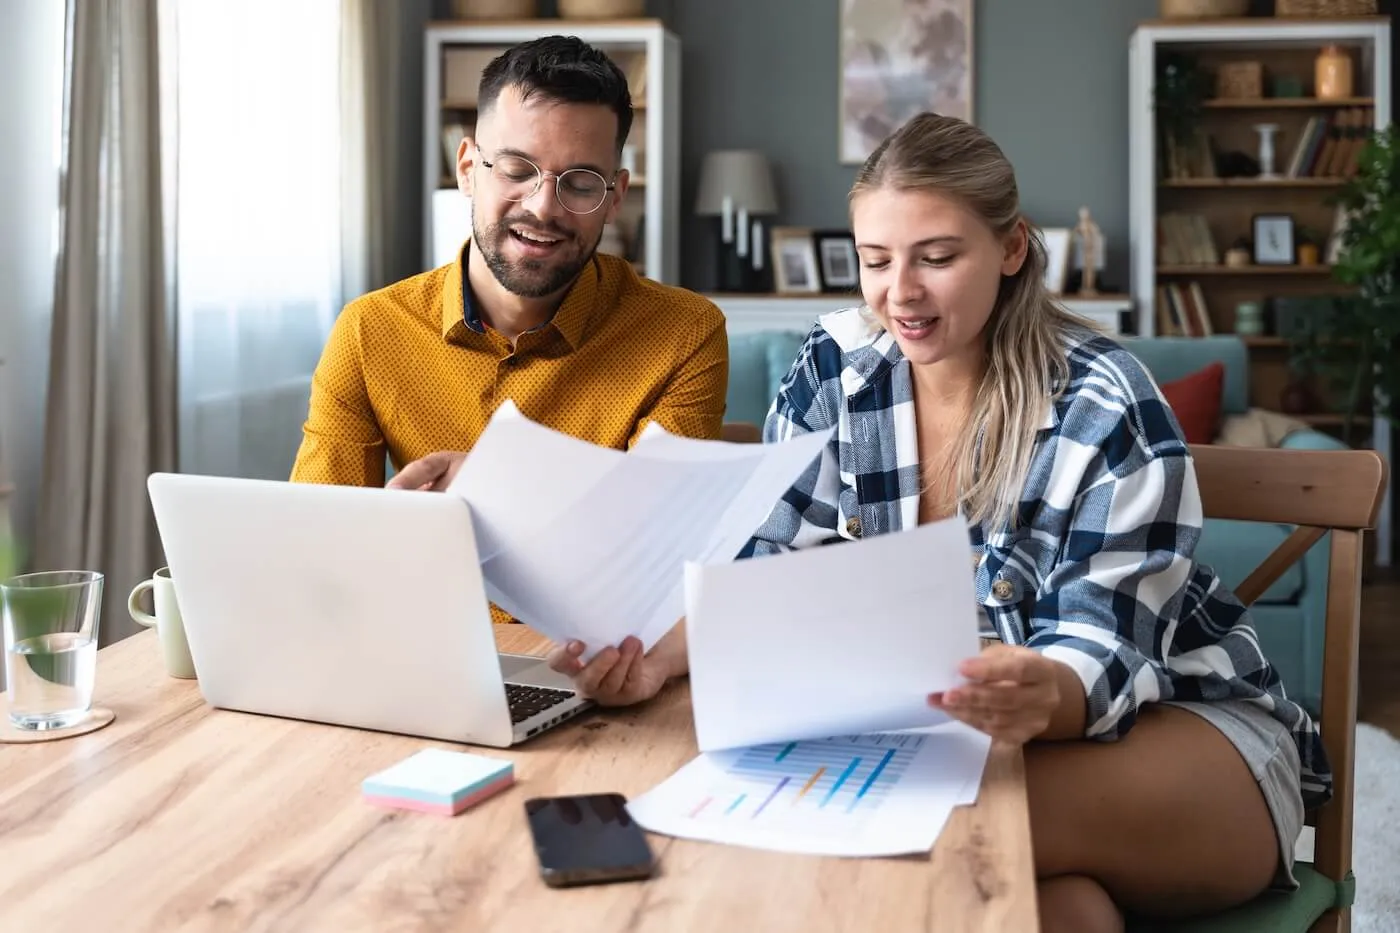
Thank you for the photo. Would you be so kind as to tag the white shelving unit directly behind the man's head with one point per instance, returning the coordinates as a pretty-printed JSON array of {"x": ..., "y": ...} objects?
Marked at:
[{"x": 656, "y": 135}]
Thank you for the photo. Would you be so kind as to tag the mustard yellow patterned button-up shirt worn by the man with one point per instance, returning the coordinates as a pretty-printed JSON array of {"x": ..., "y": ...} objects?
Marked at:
[{"x": 409, "y": 371}]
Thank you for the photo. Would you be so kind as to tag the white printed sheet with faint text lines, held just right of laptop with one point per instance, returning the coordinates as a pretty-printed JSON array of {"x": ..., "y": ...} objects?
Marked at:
[{"x": 612, "y": 562}]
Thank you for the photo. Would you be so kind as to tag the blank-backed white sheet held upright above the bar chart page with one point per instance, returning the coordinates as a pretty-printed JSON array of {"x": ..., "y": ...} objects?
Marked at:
[{"x": 832, "y": 641}]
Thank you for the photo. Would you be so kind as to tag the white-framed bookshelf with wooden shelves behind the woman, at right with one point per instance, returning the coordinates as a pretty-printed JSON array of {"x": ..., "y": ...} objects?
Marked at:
[{"x": 1193, "y": 198}]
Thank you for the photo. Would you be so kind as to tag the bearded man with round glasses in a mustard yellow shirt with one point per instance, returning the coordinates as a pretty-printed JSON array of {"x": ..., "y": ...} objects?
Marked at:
[{"x": 530, "y": 310}]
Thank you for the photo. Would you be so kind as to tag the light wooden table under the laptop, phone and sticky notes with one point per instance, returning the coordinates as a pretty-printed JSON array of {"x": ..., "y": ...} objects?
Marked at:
[{"x": 180, "y": 816}]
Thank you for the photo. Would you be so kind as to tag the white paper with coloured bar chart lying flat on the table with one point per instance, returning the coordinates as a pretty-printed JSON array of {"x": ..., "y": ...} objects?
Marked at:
[{"x": 869, "y": 795}]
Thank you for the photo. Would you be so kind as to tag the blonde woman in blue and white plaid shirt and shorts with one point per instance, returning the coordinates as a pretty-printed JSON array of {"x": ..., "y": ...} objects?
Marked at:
[{"x": 1167, "y": 771}]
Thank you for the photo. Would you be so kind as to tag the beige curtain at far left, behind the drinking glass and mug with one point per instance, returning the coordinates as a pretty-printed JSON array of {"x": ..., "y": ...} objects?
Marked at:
[{"x": 111, "y": 403}]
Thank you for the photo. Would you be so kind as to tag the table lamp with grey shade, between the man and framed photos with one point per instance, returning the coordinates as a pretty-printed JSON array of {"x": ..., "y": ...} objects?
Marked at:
[{"x": 737, "y": 187}]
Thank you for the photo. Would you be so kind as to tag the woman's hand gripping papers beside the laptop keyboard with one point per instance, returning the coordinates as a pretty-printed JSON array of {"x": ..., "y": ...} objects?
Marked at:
[{"x": 624, "y": 675}]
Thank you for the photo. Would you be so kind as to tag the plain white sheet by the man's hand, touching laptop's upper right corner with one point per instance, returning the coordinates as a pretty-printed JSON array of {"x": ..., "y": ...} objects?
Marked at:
[{"x": 514, "y": 483}]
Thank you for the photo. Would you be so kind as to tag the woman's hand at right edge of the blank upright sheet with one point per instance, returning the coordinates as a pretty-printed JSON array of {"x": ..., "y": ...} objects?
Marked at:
[{"x": 1011, "y": 693}]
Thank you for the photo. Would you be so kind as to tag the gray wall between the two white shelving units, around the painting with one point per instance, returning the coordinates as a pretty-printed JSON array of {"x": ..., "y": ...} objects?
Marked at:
[{"x": 764, "y": 75}]
